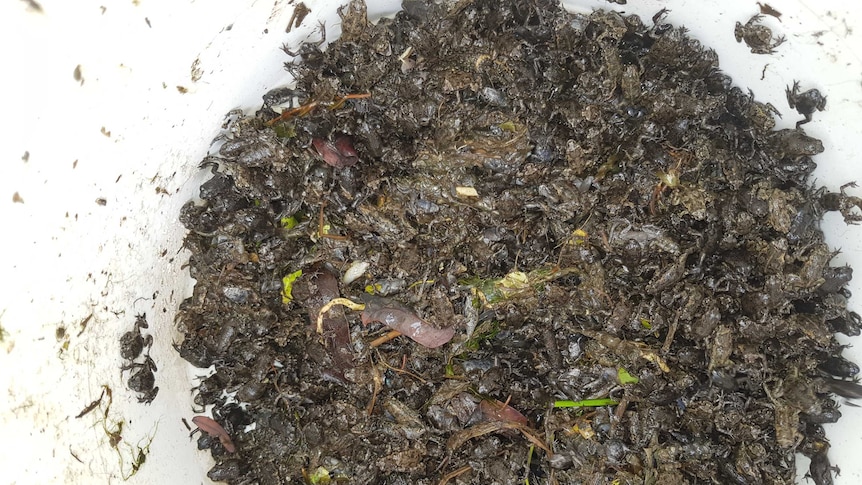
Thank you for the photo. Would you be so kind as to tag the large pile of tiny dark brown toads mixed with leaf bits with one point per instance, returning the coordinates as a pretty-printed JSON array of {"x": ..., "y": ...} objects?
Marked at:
[{"x": 493, "y": 242}]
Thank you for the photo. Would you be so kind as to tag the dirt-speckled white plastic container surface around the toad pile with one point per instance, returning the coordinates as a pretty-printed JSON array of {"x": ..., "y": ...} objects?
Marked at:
[{"x": 125, "y": 134}]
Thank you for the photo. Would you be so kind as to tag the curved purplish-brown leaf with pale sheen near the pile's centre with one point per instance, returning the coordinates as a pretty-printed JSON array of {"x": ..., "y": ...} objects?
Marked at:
[{"x": 398, "y": 317}]
